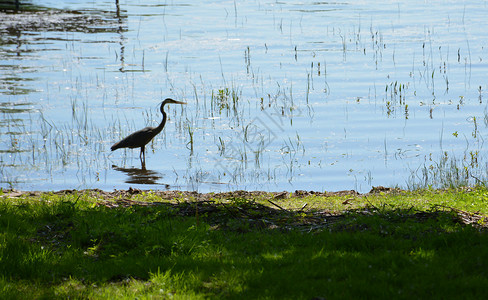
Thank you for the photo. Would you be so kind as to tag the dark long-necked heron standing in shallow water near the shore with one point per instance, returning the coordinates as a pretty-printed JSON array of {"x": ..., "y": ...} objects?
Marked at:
[{"x": 140, "y": 138}]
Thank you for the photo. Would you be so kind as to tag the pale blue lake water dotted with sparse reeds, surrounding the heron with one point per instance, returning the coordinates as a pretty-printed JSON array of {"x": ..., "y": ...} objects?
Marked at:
[{"x": 289, "y": 95}]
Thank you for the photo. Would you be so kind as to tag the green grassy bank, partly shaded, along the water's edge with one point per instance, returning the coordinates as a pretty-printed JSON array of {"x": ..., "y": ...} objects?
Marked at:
[{"x": 385, "y": 245}]
